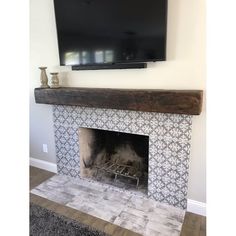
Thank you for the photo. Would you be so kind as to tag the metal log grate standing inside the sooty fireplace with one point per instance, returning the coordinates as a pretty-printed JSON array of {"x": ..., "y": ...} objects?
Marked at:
[{"x": 120, "y": 170}]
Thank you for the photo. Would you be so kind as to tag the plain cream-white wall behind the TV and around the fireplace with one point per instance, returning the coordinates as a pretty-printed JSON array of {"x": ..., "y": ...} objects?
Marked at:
[{"x": 185, "y": 68}]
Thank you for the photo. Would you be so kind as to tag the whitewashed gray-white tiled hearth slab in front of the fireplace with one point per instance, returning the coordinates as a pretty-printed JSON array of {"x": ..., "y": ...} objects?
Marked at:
[{"x": 136, "y": 213}]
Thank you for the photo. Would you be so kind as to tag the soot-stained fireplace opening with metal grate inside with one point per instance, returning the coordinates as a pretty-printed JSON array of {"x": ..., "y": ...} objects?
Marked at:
[{"x": 116, "y": 158}]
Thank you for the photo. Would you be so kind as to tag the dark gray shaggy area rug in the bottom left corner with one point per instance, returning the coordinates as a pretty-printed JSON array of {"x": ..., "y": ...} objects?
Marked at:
[{"x": 44, "y": 222}]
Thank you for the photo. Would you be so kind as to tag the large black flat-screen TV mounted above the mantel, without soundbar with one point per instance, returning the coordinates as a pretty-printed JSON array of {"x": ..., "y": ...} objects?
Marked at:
[{"x": 93, "y": 32}]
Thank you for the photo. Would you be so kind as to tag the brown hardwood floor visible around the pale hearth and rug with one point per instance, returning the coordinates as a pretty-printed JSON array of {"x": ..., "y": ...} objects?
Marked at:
[{"x": 194, "y": 225}]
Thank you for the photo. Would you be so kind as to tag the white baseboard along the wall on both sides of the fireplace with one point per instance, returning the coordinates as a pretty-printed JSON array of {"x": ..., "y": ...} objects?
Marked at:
[{"x": 192, "y": 205}]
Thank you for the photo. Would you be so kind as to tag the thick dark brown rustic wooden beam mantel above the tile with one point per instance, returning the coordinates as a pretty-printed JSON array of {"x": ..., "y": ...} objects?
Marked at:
[{"x": 147, "y": 100}]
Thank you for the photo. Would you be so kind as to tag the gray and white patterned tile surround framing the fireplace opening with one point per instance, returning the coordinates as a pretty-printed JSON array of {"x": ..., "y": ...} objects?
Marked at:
[{"x": 169, "y": 145}]
